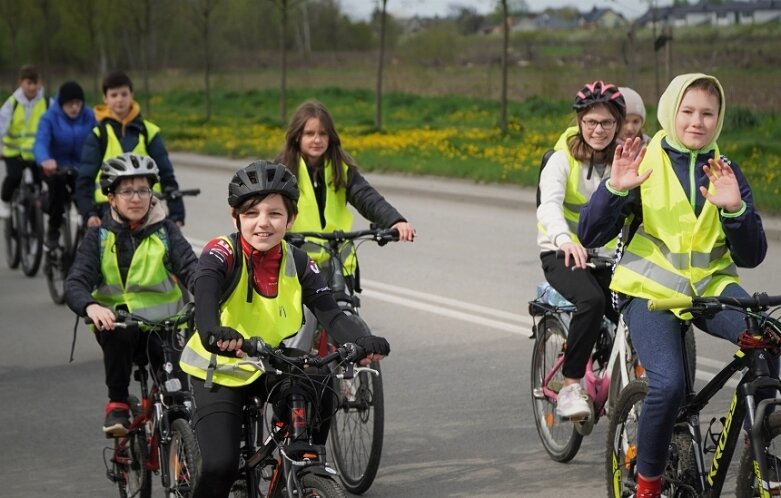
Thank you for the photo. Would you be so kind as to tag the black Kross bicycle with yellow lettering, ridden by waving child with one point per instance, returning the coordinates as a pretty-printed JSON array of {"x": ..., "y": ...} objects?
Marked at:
[{"x": 686, "y": 474}]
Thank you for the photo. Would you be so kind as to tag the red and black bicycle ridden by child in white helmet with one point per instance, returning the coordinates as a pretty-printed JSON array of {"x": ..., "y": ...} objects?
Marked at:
[{"x": 160, "y": 438}]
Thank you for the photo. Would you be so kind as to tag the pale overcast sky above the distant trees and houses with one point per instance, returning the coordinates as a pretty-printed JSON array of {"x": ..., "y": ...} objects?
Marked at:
[{"x": 362, "y": 9}]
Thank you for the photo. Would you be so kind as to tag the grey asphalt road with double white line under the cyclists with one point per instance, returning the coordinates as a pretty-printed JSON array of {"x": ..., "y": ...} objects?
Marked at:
[{"x": 452, "y": 304}]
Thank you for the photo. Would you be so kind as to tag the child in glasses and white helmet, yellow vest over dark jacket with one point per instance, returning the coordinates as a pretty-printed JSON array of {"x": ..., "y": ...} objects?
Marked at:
[{"x": 133, "y": 261}]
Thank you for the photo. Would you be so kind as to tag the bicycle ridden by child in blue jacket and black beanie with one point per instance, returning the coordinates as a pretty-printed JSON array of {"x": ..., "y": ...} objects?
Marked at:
[{"x": 58, "y": 259}]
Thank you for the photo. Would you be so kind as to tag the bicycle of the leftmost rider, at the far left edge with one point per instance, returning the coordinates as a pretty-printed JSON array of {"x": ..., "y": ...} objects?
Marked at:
[{"x": 24, "y": 226}]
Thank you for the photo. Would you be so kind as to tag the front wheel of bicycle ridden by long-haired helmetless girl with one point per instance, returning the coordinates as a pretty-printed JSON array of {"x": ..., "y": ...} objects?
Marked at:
[{"x": 358, "y": 427}]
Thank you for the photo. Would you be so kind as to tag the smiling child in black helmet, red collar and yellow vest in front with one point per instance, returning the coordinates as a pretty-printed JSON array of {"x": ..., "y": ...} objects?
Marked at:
[{"x": 253, "y": 283}]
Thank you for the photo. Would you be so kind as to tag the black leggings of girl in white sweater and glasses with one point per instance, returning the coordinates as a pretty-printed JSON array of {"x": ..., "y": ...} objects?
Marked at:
[{"x": 589, "y": 291}]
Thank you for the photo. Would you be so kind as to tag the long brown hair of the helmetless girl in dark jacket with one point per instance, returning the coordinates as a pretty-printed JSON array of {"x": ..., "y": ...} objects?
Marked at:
[{"x": 291, "y": 154}]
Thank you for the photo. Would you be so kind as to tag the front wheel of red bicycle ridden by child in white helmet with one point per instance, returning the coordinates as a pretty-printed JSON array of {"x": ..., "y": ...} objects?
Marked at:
[{"x": 184, "y": 460}]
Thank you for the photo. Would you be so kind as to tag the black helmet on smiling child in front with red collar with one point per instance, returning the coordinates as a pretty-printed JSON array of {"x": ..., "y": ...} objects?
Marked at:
[{"x": 262, "y": 178}]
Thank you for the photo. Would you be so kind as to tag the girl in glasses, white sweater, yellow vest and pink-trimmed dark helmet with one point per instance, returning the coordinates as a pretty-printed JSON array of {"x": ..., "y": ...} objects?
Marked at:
[{"x": 580, "y": 161}]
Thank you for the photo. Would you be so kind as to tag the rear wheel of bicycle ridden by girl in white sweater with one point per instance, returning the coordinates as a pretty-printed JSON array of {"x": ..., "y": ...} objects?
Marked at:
[{"x": 559, "y": 437}]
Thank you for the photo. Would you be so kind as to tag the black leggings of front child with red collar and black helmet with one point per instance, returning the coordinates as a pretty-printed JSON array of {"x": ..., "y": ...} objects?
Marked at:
[{"x": 218, "y": 423}]
